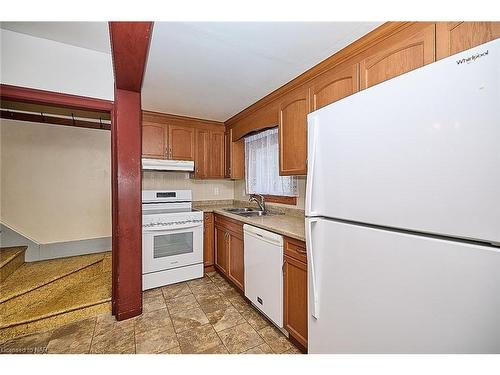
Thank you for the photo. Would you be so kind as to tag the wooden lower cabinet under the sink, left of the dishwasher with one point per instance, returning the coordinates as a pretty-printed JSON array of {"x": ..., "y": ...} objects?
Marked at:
[{"x": 229, "y": 253}]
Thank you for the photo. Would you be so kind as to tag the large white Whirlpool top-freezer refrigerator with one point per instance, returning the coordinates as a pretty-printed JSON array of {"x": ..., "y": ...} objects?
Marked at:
[{"x": 403, "y": 213}]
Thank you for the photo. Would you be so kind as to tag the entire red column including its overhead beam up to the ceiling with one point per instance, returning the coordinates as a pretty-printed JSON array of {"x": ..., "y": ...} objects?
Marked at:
[{"x": 129, "y": 46}]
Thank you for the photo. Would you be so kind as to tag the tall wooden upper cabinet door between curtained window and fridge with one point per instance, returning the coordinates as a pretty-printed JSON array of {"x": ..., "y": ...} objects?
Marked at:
[{"x": 293, "y": 134}]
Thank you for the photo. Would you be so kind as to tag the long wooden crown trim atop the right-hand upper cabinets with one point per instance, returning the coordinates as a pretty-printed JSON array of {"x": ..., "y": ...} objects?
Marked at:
[{"x": 379, "y": 34}]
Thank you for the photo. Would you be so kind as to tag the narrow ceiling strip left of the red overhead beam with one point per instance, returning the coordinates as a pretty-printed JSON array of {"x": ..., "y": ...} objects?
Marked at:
[{"x": 90, "y": 35}]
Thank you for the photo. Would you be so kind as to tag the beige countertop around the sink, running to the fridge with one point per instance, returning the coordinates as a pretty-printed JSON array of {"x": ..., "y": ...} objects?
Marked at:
[{"x": 288, "y": 225}]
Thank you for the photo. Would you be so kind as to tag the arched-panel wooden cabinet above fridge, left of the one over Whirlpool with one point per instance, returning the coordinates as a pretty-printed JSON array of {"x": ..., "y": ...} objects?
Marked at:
[{"x": 407, "y": 50}]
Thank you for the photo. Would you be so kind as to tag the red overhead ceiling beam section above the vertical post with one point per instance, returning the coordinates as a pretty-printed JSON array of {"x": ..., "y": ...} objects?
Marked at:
[{"x": 130, "y": 45}]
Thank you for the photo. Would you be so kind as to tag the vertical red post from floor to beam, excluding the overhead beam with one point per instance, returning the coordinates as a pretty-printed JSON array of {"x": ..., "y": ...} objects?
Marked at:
[{"x": 127, "y": 234}]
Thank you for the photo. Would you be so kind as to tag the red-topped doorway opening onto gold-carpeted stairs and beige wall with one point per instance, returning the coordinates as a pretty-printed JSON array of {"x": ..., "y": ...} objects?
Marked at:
[{"x": 56, "y": 209}]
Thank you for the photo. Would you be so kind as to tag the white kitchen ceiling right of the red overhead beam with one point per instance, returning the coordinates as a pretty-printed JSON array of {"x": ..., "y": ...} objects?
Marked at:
[{"x": 213, "y": 70}]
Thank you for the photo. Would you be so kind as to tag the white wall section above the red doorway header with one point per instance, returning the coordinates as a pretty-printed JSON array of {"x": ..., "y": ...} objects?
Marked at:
[{"x": 43, "y": 64}]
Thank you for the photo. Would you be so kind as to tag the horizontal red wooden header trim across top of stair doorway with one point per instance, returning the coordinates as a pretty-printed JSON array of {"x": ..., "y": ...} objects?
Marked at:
[{"x": 28, "y": 95}]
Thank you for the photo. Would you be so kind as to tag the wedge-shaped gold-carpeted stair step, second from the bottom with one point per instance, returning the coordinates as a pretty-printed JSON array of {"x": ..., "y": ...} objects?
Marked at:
[{"x": 34, "y": 275}]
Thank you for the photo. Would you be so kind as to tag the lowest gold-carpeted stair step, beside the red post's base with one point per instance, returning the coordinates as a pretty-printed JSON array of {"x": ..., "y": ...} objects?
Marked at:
[{"x": 78, "y": 301}]
